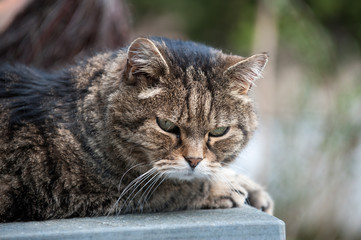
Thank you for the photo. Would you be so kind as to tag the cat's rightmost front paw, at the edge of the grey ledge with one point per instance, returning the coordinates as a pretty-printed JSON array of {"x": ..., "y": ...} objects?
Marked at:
[{"x": 260, "y": 199}]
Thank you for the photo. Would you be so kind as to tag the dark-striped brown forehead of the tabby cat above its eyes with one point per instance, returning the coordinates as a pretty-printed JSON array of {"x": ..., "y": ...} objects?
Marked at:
[{"x": 194, "y": 102}]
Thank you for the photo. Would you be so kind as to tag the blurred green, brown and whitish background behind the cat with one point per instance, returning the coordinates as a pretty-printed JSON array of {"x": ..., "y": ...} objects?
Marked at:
[{"x": 307, "y": 151}]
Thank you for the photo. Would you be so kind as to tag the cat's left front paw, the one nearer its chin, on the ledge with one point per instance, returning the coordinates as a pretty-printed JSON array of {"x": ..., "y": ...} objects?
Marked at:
[{"x": 225, "y": 195}]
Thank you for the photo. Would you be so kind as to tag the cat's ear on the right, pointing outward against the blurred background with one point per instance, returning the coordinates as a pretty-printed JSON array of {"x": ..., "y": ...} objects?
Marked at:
[{"x": 244, "y": 72}]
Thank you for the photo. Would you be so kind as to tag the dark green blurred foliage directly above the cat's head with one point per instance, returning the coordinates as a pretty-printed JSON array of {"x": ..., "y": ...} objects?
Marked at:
[{"x": 224, "y": 24}]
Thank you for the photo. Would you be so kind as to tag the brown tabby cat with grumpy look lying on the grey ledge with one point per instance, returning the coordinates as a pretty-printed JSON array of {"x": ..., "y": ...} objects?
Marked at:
[{"x": 151, "y": 127}]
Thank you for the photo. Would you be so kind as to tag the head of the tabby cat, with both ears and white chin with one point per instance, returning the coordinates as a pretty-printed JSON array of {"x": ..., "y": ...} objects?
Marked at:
[{"x": 183, "y": 107}]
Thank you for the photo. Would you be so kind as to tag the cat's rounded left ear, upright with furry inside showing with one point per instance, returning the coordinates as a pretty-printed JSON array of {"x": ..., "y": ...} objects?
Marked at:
[{"x": 144, "y": 58}]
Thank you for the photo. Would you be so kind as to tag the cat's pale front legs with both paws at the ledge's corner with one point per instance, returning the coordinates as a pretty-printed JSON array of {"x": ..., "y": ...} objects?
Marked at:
[{"x": 230, "y": 189}]
